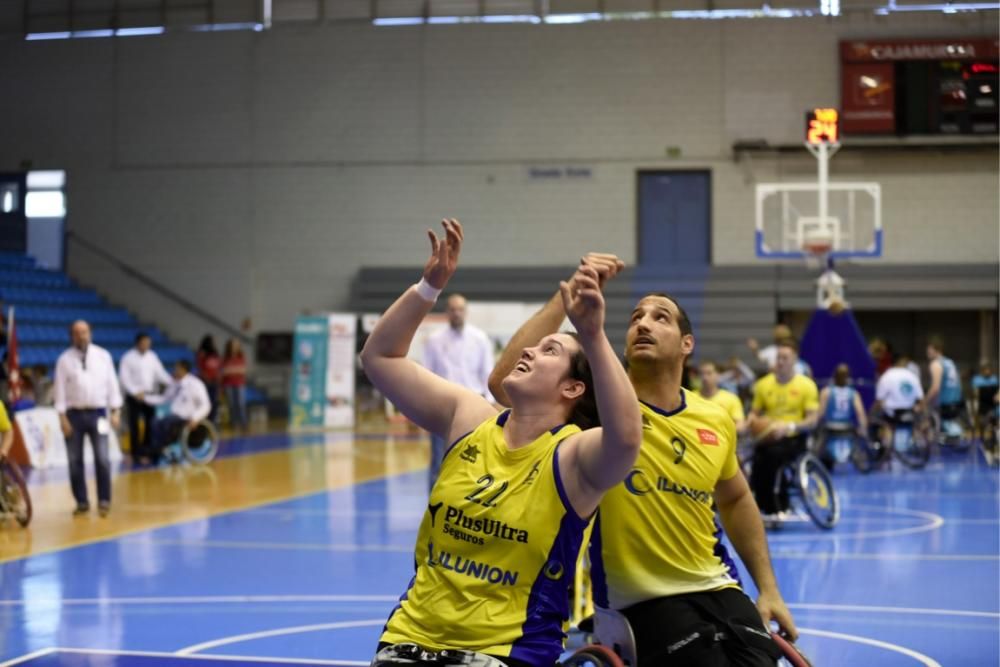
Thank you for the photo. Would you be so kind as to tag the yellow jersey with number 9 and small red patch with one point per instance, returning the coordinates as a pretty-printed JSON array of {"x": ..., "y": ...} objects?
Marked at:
[{"x": 656, "y": 533}]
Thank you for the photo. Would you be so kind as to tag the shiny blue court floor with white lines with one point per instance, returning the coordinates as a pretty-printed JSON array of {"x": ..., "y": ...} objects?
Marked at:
[{"x": 911, "y": 576}]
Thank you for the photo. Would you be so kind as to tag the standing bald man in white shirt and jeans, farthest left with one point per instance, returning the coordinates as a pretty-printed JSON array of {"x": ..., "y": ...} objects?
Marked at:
[{"x": 86, "y": 390}]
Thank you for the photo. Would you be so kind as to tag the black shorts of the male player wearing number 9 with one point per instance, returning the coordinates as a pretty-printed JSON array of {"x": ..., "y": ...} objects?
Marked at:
[{"x": 682, "y": 630}]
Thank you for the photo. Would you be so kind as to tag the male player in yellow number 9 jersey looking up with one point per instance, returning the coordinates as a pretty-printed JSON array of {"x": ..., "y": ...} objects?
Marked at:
[{"x": 656, "y": 550}]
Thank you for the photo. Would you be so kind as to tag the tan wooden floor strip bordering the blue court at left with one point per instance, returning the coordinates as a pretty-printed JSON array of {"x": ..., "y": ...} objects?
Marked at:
[{"x": 148, "y": 499}]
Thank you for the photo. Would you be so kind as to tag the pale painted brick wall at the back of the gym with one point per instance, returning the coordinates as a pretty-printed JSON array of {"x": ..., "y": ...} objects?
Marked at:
[{"x": 257, "y": 172}]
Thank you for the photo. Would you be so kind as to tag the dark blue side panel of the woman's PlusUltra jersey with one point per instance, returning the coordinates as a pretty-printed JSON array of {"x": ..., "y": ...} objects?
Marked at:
[{"x": 542, "y": 634}]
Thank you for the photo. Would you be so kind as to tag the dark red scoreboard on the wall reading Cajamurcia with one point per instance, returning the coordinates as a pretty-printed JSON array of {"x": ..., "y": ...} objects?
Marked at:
[{"x": 919, "y": 86}]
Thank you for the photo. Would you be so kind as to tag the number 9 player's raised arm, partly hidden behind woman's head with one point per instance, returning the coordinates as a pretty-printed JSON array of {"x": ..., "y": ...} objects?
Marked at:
[{"x": 546, "y": 321}]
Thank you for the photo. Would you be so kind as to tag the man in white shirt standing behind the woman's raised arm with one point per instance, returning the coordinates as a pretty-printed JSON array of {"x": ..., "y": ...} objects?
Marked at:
[{"x": 461, "y": 353}]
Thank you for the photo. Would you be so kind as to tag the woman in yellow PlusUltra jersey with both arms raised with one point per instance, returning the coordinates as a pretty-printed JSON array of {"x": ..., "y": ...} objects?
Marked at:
[{"x": 498, "y": 545}]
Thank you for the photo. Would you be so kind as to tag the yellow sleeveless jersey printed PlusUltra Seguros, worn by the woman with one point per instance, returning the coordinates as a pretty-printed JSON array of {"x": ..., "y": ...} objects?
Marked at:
[{"x": 496, "y": 551}]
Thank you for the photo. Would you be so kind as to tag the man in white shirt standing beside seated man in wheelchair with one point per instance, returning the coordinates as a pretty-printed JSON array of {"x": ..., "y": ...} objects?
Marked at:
[{"x": 139, "y": 372}]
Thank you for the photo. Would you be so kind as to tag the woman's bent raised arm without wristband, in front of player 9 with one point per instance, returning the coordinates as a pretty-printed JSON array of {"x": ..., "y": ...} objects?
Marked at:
[{"x": 598, "y": 458}]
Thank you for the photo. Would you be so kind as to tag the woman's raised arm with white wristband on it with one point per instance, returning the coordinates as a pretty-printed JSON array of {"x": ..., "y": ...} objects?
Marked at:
[{"x": 431, "y": 402}]
